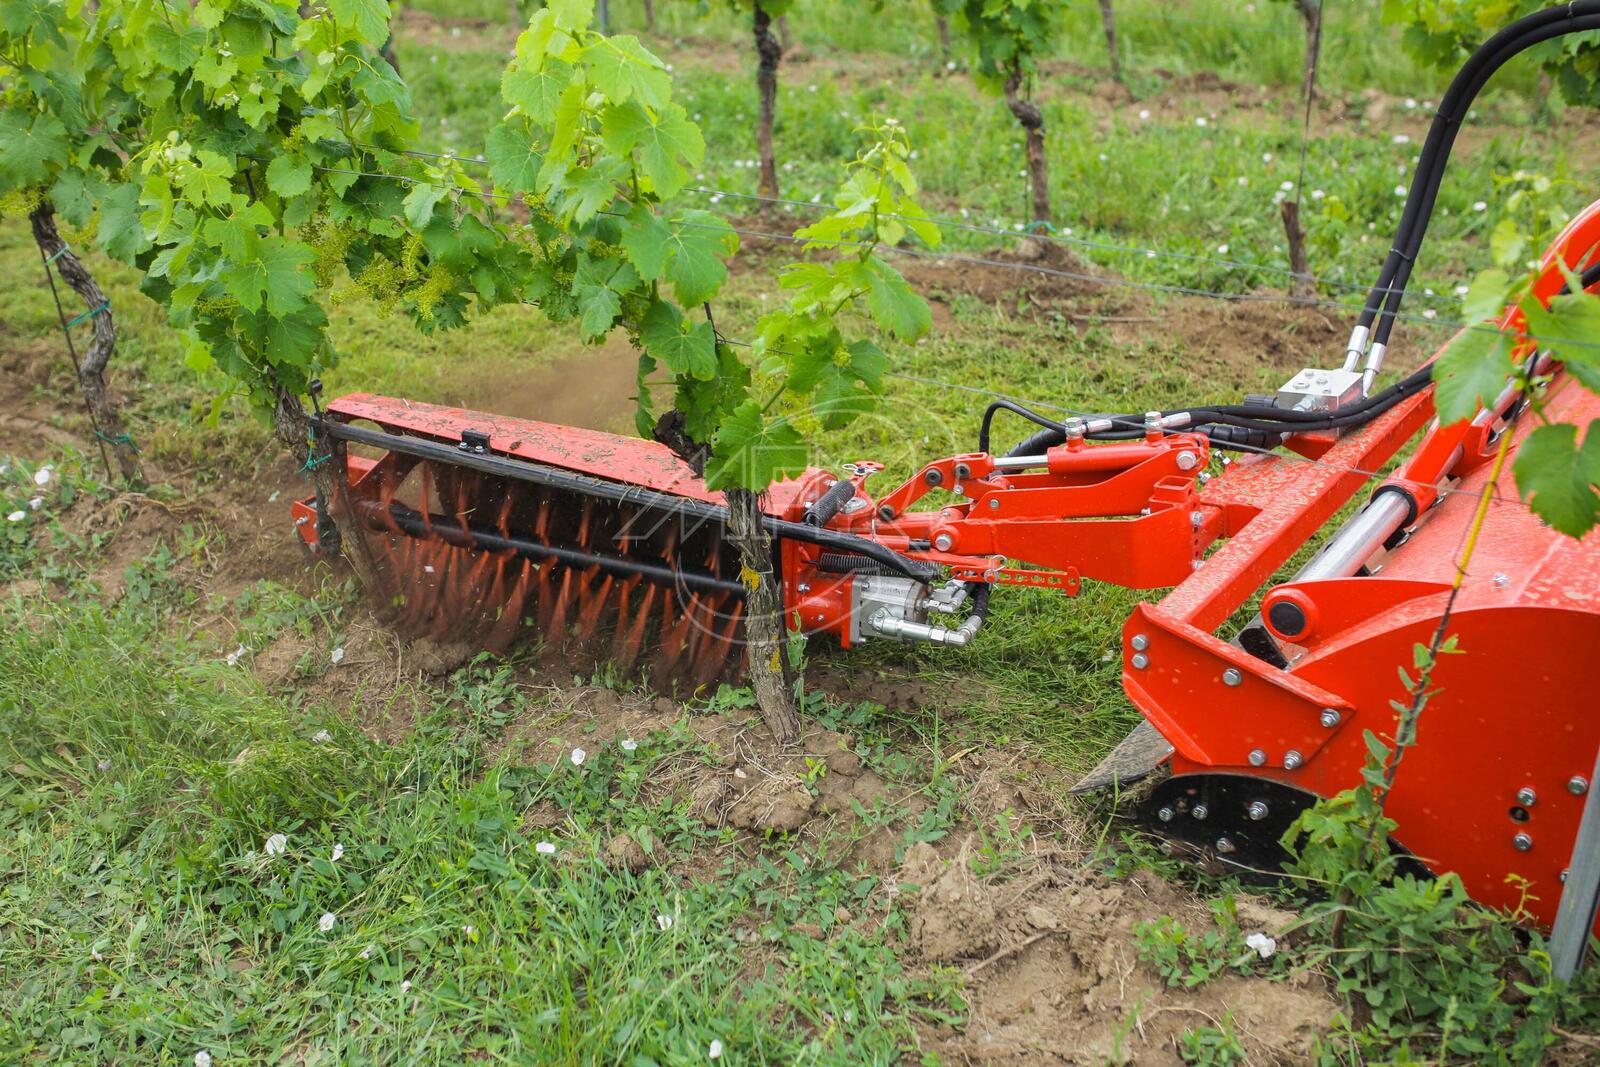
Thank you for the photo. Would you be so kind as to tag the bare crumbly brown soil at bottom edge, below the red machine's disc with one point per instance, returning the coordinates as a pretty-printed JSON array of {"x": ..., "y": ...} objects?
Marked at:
[{"x": 1054, "y": 975}]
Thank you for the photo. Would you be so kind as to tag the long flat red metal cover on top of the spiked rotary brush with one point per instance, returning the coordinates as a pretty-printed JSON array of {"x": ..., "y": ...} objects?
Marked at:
[{"x": 610, "y": 457}]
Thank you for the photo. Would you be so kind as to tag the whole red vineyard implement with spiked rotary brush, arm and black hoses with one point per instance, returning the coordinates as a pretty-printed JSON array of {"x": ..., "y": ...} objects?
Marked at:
[{"x": 482, "y": 529}]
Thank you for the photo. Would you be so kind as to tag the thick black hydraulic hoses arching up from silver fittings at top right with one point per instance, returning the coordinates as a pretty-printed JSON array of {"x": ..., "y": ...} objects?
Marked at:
[{"x": 1386, "y": 297}]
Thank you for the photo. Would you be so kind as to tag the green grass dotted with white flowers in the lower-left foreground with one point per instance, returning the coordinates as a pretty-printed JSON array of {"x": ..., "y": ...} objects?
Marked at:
[{"x": 146, "y": 919}]
